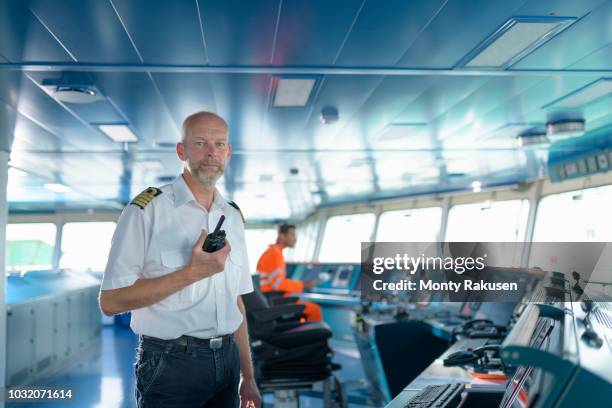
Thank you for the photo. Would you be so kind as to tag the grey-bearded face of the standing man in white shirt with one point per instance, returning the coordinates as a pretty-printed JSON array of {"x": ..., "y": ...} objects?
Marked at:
[{"x": 205, "y": 149}]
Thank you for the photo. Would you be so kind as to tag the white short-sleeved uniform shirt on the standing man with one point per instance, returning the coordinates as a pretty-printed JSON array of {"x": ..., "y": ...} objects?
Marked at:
[{"x": 157, "y": 240}]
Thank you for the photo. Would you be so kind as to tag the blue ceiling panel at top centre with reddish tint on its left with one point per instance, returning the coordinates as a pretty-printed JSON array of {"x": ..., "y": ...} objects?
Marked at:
[{"x": 312, "y": 33}]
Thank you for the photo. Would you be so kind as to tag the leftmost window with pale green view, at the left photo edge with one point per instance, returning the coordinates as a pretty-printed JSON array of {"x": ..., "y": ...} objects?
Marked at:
[{"x": 29, "y": 247}]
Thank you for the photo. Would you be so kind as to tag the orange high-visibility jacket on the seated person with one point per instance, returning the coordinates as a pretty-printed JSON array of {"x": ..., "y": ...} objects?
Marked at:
[{"x": 273, "y": 274}]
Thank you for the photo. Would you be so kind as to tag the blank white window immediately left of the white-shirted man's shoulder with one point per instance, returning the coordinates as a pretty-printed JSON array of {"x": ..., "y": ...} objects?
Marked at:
[{"x": 85, "y": 245}]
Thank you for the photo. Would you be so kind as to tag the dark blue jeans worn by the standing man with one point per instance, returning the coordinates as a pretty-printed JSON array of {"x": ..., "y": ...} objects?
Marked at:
[{"x": 170, "y": 375}]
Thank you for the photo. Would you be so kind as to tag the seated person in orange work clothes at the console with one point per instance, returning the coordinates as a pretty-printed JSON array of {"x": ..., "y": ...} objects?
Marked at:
[{"x": 273, "y": 273}]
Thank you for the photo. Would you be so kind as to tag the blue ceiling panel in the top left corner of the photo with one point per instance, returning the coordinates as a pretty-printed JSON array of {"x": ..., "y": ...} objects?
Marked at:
[{"x": 23, "y": 38}]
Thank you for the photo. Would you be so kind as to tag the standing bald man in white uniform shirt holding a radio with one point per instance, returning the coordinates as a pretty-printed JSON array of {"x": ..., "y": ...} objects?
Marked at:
[{"x": 185, "y": 303}]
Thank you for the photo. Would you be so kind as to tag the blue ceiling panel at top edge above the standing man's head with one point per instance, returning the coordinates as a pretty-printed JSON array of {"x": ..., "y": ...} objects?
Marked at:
[{"x": 239, "y": 32}]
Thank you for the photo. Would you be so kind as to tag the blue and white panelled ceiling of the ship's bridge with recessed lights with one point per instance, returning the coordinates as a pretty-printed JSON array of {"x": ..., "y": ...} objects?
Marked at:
[{"x": 386, "y": 99}]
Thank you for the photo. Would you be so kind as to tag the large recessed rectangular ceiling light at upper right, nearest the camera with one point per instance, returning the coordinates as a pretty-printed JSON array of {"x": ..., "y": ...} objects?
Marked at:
[{"x": 515, "y": 39}]
